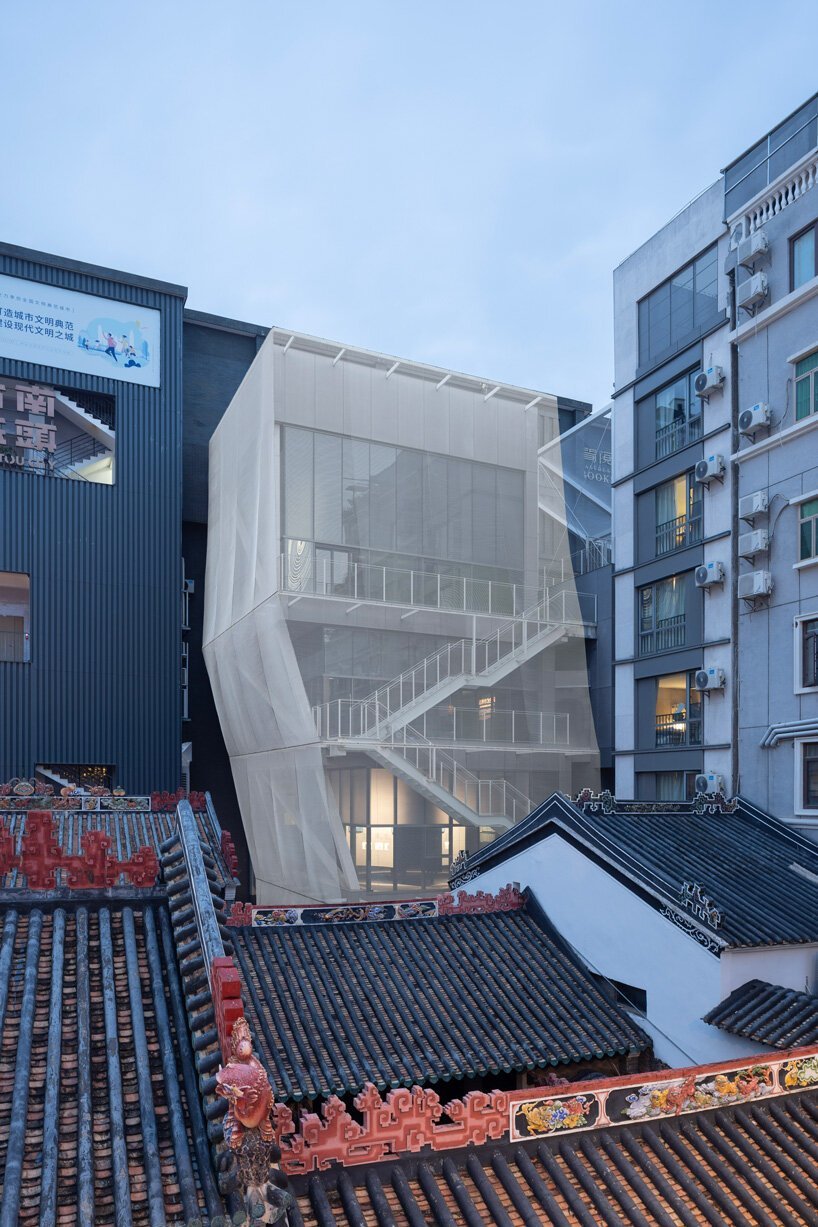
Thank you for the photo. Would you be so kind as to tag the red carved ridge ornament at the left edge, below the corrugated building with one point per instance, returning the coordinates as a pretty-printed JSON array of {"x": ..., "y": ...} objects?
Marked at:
[{"x": 41, "y": 857}]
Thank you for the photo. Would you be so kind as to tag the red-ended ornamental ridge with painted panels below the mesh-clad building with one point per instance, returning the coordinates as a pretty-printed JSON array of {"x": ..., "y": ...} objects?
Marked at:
[{"x": 508, "y": 899}]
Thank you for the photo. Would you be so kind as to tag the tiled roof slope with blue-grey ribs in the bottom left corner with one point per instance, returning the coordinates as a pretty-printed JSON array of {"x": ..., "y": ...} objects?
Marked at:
[{"x": 95, "y": 1122}]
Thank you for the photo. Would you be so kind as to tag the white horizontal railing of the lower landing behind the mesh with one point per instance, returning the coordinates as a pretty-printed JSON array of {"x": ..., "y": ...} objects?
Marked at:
[{"x": 340, "y": 721}]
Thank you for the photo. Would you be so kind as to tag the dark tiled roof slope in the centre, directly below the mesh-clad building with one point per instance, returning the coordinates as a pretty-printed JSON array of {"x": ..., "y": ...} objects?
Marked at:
[{"x": 418, "y": 1002}]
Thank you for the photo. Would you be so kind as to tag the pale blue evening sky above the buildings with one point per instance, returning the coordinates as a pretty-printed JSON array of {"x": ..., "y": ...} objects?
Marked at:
[{"x": 452, "y": 182}]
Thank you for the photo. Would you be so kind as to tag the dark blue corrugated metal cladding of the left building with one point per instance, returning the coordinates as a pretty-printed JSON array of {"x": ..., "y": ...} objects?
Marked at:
[{"x": 105, "y": 564}]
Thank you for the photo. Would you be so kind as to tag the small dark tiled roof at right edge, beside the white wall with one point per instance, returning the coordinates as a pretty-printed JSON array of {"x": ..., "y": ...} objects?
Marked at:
[{"x": 770, "y": 1015}]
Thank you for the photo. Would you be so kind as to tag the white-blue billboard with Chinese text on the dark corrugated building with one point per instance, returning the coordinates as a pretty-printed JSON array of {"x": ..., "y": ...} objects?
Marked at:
[{"x": 75, "y": 332}]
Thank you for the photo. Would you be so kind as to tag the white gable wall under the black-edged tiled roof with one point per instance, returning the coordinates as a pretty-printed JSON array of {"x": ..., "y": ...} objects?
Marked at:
[{"x": 621, "y": 937}]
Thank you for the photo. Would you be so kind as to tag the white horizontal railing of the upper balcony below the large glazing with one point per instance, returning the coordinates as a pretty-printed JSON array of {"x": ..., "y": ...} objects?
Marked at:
[{"x": 396, "y": 586}]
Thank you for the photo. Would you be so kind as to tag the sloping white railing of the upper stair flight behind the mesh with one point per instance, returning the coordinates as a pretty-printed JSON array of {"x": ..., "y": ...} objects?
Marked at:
[{"x": 472, "y": 658}]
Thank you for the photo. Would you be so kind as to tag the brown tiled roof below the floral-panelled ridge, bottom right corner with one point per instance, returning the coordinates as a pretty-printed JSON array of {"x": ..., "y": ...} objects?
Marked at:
[{"x": 741, "y": 1166}]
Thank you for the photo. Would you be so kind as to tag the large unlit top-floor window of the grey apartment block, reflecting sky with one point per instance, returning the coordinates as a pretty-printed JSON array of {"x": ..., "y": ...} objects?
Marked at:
[{"x": 680, "y": 310}]
